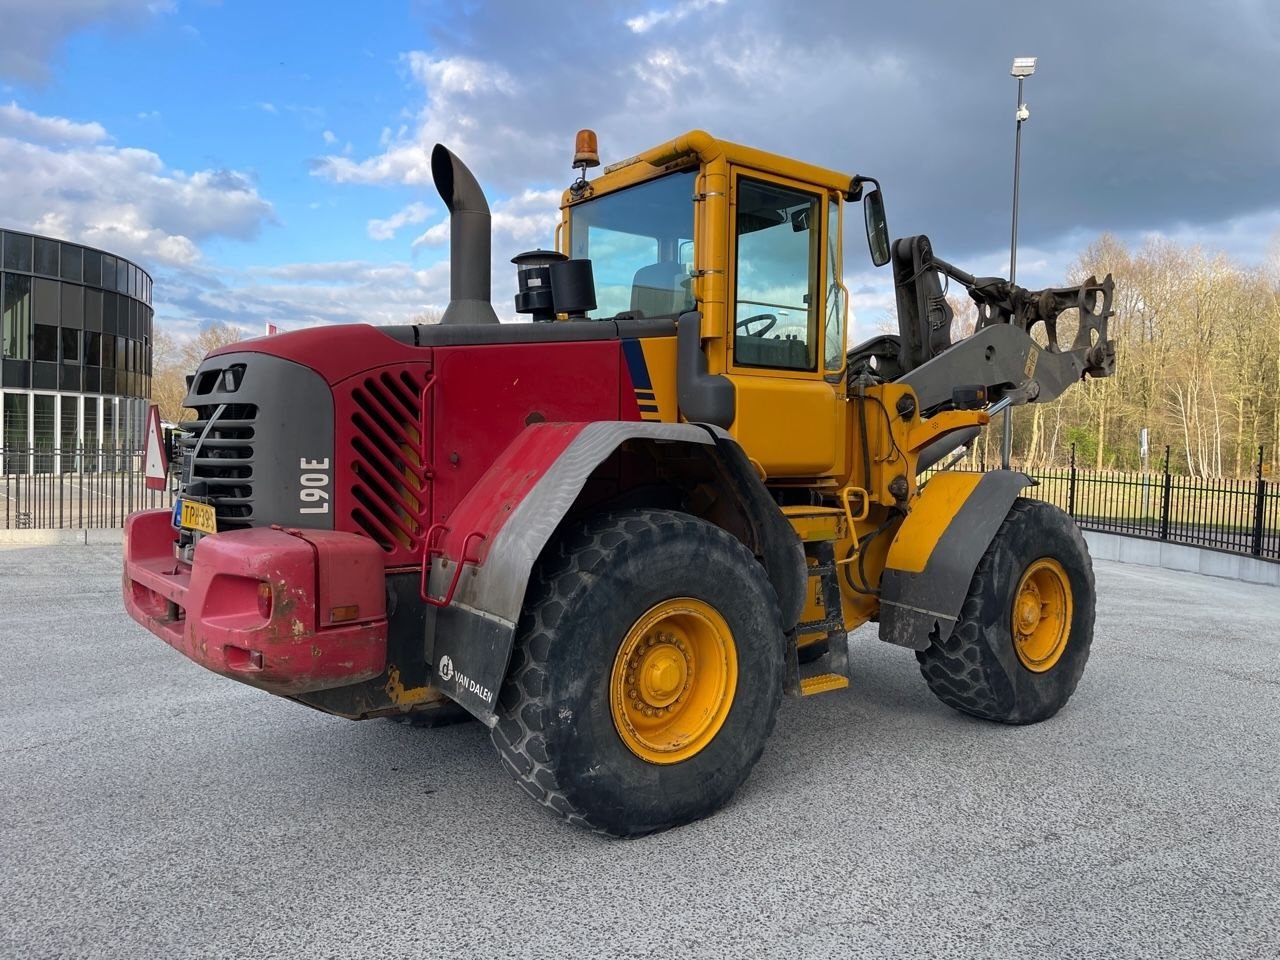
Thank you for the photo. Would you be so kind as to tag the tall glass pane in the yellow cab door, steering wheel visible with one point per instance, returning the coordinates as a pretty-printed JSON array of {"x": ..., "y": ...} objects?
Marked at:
[{"x": 779, "y": 239}]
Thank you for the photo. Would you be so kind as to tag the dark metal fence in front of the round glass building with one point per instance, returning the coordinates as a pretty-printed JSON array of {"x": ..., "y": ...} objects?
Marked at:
[{"x": 84, "y": 487}]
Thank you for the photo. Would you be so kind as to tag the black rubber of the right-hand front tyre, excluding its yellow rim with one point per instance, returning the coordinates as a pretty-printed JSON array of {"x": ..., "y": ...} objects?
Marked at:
[{"x": 977, "y": 669}]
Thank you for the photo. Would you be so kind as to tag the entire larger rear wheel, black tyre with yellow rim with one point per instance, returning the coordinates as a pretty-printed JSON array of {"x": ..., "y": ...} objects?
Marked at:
[{"x": 602, "y": 618}]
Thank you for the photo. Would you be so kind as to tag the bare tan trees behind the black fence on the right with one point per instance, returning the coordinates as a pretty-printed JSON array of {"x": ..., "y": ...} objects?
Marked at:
[{"x": 1197, "y": 365}]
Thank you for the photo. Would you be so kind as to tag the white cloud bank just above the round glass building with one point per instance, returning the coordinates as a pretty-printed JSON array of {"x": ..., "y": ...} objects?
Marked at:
[{"x": 67, "y": 180}]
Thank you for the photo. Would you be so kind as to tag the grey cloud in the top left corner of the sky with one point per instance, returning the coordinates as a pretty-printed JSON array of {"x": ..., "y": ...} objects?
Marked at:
[{"x": 33, "y": 34}]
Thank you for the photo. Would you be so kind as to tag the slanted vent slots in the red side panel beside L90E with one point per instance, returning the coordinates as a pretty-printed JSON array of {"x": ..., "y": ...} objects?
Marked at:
[{"x": 390, "y": 495}]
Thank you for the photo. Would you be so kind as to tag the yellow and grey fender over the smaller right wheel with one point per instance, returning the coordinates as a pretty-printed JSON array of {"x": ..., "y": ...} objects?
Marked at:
[{"x": 938, "y": 550}]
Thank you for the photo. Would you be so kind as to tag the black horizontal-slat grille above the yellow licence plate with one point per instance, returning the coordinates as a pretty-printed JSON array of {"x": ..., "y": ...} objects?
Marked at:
[{"x": 220, "y": 454}]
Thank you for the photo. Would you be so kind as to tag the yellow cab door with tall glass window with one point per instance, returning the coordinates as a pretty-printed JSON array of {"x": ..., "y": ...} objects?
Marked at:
[{"x": 788, "y": 377}]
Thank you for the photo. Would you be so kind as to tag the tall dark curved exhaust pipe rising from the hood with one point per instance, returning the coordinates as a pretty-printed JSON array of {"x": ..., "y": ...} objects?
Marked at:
[{"x": 469, "y": 241}]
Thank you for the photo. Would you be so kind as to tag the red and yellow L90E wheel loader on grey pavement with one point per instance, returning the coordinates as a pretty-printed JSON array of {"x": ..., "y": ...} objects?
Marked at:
[{"x": 620, "y": 532}]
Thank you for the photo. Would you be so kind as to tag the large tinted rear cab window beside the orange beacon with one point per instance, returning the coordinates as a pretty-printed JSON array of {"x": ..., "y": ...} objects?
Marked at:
[{"x": 641, "y": 243}]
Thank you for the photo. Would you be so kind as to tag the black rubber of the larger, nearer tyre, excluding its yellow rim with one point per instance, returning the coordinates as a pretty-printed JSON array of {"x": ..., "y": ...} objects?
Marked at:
[{"x": 556, "y": 732}]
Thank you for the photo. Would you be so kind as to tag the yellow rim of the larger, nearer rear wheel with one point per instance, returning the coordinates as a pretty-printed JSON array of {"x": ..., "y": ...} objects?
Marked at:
[{"x": 674, "y": 682}]
